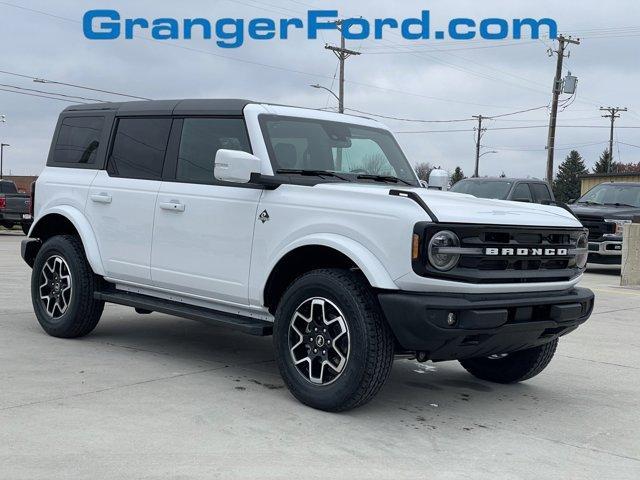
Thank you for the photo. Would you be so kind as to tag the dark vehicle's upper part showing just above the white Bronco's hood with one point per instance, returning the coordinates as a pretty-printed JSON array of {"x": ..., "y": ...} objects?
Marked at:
[{"x": 516, "y": 189}]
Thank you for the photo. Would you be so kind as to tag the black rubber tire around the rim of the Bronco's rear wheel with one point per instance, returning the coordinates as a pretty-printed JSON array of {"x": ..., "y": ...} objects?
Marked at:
[{"x": 83, "y": 311}]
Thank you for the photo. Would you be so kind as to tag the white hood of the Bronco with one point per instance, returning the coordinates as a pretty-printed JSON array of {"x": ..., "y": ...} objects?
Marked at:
[{"x": 450, "y": 207}]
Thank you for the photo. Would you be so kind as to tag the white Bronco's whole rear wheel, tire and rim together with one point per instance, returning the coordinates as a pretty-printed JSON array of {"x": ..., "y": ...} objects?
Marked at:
[{"x": 62, "y": 288}]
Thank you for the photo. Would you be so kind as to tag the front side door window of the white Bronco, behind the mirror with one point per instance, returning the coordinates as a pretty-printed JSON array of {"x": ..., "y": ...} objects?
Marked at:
[{"x": 201, "y": 139}]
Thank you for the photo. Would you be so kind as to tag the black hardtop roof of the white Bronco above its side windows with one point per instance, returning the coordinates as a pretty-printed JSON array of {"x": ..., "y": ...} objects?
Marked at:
[{"x": 204, "y": 106}]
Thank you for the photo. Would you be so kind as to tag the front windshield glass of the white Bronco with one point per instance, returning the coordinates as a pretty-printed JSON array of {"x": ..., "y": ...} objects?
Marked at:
[{"x": 352, "y": 152}]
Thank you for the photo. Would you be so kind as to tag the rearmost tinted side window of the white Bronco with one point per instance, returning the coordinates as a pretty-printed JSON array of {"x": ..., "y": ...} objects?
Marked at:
[{"x": 78, "y": 140}]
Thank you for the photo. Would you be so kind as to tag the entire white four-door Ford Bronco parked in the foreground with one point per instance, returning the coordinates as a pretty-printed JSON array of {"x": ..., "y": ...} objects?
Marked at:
[{"x": 307, "y": 225}]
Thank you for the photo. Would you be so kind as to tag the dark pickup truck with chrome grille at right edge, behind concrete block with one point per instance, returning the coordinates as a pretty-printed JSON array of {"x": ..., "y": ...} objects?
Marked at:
[{"x": 604, "y": 210}]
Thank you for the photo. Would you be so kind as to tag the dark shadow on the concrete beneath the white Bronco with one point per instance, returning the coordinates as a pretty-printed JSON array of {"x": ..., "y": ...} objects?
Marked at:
[{"x": 413, "y": 390}]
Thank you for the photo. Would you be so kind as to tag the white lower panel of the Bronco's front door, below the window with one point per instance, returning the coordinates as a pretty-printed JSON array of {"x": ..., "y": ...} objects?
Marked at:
[{"x": 204, "y": 248}]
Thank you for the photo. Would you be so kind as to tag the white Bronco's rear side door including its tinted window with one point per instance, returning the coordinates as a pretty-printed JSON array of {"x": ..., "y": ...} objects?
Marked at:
[{"x": 122, "y": 198}]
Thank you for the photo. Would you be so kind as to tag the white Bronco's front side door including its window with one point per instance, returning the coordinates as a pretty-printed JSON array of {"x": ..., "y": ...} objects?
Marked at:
[{"x": 203, "y": 230}]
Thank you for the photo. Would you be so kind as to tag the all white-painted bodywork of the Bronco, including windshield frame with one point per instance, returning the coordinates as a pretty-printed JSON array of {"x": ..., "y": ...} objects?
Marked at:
[{"x": 205, "y": 244}]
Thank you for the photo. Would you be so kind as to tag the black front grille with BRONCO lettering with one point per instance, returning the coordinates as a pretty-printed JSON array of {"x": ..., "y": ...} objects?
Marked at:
[{"x": 477, "y": 266}]
